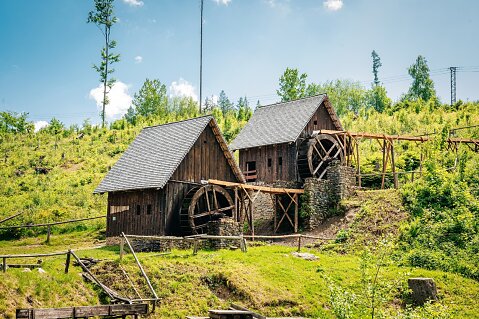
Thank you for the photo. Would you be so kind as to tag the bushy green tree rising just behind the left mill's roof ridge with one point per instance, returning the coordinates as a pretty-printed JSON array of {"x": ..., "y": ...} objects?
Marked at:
[{"x": 151, "y": 99}]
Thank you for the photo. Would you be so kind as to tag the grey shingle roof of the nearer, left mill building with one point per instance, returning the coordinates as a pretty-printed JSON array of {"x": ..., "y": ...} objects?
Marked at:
[{"x": 155, "y": 154}]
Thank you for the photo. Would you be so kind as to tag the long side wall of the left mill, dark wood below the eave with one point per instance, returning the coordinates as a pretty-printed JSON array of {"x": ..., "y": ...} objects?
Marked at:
[{"x": 123, "y": 214}]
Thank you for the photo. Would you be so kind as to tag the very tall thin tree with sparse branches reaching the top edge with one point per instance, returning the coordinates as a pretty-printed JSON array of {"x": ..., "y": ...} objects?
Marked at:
[{"x": 103, "y": 17}]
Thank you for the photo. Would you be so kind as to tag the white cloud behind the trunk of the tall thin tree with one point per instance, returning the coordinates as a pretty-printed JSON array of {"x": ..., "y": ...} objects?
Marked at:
[{"x": 118, "y": 97}]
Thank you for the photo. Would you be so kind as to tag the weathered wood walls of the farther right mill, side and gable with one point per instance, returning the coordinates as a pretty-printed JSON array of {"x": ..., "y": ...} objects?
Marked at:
[{"x": 288, "y": 151}]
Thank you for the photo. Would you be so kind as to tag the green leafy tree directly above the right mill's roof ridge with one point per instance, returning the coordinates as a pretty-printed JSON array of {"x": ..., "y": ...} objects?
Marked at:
[{"x": 292, "y": 85}]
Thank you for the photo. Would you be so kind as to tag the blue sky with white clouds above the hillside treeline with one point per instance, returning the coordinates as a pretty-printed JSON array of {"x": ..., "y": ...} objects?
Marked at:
[{"x": 47, "y": 48}]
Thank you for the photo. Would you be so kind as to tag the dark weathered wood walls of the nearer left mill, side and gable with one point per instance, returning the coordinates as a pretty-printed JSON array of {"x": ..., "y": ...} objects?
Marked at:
[{"x": 205, "y": 160}]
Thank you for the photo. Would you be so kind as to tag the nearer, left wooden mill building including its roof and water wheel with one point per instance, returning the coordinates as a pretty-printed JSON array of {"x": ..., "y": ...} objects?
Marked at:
[{"x": 156, "y": 188}]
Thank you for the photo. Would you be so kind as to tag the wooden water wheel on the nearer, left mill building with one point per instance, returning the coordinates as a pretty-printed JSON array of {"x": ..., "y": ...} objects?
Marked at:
[{"x": 203, "y": 204}]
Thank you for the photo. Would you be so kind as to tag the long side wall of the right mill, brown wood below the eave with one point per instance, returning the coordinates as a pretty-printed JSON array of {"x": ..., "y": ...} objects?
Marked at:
[{"x": 274, "y": 172}]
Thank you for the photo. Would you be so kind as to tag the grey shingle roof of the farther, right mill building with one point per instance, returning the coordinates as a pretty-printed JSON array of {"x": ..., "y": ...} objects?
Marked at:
[{"x": 281, "y": 122}]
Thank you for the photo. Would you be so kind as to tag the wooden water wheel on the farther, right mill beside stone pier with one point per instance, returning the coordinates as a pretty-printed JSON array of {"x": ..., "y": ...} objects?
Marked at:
[{"x": 316, "y": 153}]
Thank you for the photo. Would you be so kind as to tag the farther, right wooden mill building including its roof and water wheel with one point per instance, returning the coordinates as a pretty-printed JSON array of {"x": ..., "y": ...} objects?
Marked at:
[{"x": 281, "y": 142}]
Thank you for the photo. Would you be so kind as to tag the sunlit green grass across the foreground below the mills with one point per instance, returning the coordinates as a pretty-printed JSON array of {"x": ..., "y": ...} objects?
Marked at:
[{"x": 268, "y": 279}]
